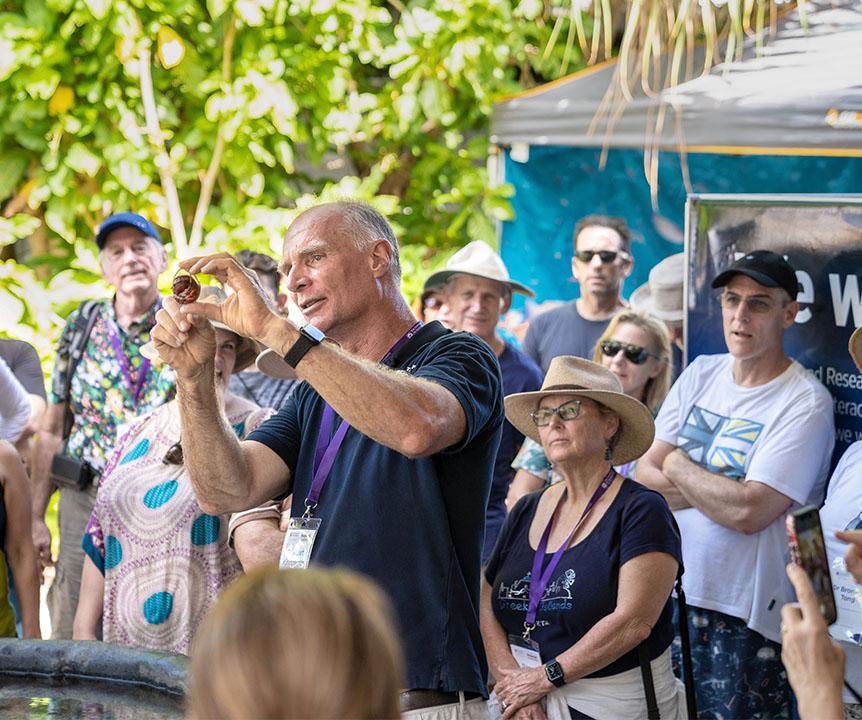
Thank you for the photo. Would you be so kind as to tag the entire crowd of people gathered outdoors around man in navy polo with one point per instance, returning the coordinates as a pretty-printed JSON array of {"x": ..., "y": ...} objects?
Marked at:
[{"x": 514, "y": 516}]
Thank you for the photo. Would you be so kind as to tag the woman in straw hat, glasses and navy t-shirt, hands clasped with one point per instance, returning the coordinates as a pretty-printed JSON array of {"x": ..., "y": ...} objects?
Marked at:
[{"x": 578, "y": 587}]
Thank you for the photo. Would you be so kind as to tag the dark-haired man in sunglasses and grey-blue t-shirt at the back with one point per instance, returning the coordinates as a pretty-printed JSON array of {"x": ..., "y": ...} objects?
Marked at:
[{"x": 602, "y": 261}]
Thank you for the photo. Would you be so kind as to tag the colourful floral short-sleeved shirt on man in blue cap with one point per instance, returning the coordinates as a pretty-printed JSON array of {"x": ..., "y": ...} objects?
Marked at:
[{"x": 101, "y": 399}]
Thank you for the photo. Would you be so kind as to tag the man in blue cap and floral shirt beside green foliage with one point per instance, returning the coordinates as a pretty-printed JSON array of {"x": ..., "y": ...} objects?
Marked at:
[{"x": 99, "y": 382}]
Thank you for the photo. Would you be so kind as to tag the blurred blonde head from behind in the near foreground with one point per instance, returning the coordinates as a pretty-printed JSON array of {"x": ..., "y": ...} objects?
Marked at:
[{"x": 313, "y": 643}]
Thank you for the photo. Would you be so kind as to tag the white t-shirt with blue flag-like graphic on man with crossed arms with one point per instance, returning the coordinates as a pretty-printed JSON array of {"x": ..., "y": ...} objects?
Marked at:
[{"x": 780, "y": 434}]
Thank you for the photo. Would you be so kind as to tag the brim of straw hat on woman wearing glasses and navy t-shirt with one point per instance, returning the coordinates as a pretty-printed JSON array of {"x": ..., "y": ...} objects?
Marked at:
[{"x": 637, "y": 427}]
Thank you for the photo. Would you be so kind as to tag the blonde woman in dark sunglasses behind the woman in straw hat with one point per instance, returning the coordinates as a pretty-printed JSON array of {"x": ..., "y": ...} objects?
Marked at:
[{"x": 635, "y": 347}]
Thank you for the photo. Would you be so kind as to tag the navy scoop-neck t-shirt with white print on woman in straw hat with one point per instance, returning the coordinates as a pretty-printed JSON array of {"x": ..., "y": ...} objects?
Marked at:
[{"x": 583, "y": 588}]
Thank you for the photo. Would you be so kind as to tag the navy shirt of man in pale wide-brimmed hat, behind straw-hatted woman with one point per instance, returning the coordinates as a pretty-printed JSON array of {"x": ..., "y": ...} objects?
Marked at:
[{"x": 520, "y": 374}]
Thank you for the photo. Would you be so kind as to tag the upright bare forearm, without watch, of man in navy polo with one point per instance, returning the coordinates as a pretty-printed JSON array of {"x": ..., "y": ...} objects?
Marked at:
[{"x": 211, "y": 451}]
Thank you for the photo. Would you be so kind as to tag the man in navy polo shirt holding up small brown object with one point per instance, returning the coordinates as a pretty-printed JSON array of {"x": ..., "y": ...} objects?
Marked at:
[{"x": 388, "y": 446}]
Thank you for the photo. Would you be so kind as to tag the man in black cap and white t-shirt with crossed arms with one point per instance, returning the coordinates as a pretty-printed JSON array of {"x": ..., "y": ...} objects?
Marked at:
[{"x": 741, "y": 439}]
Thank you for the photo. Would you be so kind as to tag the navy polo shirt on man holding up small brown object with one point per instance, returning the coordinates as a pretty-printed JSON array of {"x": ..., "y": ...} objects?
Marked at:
[{"x": 414, "y": 525}]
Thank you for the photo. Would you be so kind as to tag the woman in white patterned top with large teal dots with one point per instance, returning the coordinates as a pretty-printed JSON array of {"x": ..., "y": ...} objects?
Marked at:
[{"x": 154, "y": 560}]
